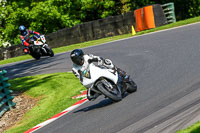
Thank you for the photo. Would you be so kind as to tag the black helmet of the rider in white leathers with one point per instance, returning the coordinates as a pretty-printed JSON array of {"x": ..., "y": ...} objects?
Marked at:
[{"x": 77, "y": 57}]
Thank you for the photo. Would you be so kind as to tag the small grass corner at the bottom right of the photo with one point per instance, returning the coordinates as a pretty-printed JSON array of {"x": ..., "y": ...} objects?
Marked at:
[{"x": 192, "y": 129}]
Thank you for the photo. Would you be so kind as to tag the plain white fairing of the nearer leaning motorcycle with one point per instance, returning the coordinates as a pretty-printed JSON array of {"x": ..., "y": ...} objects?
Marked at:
[{"x": 96, "y": 73}]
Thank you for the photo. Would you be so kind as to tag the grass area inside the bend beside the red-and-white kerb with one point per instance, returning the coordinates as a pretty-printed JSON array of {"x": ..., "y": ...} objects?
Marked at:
[{"x": 55, "y": 92}]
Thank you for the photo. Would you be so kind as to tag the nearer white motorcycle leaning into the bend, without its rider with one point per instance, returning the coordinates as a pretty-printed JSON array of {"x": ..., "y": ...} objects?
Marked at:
[{"x": 102, "y": 80}]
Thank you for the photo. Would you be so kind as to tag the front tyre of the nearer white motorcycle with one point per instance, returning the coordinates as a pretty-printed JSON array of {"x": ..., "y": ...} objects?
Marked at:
[{"x": 113, "y": 93}]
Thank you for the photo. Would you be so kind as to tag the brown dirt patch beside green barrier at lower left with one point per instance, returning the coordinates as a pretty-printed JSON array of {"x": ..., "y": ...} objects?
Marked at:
[{"x": 23, "y": 104}]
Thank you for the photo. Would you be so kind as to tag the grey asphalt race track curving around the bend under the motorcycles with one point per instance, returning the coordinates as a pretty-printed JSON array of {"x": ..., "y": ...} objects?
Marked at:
[{"x": 166, "y": 67}]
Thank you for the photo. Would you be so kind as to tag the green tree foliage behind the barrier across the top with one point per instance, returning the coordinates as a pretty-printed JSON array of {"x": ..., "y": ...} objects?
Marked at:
[{"x": 46, "y": 16}]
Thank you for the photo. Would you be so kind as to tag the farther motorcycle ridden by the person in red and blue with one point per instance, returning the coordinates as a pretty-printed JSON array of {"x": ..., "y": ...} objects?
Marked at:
[{"x": 38, "y": 48}]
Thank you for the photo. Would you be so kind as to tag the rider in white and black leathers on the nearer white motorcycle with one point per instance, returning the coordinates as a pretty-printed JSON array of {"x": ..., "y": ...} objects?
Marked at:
[{"x": 81, "y": 62}]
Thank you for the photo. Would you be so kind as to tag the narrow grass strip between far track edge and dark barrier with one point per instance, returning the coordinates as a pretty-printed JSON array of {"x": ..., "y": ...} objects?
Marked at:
[{"x": 104, "y": 40}]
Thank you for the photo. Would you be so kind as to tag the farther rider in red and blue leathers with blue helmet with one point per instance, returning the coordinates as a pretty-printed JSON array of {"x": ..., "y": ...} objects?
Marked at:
[{"x": 25, "y": 37}]
